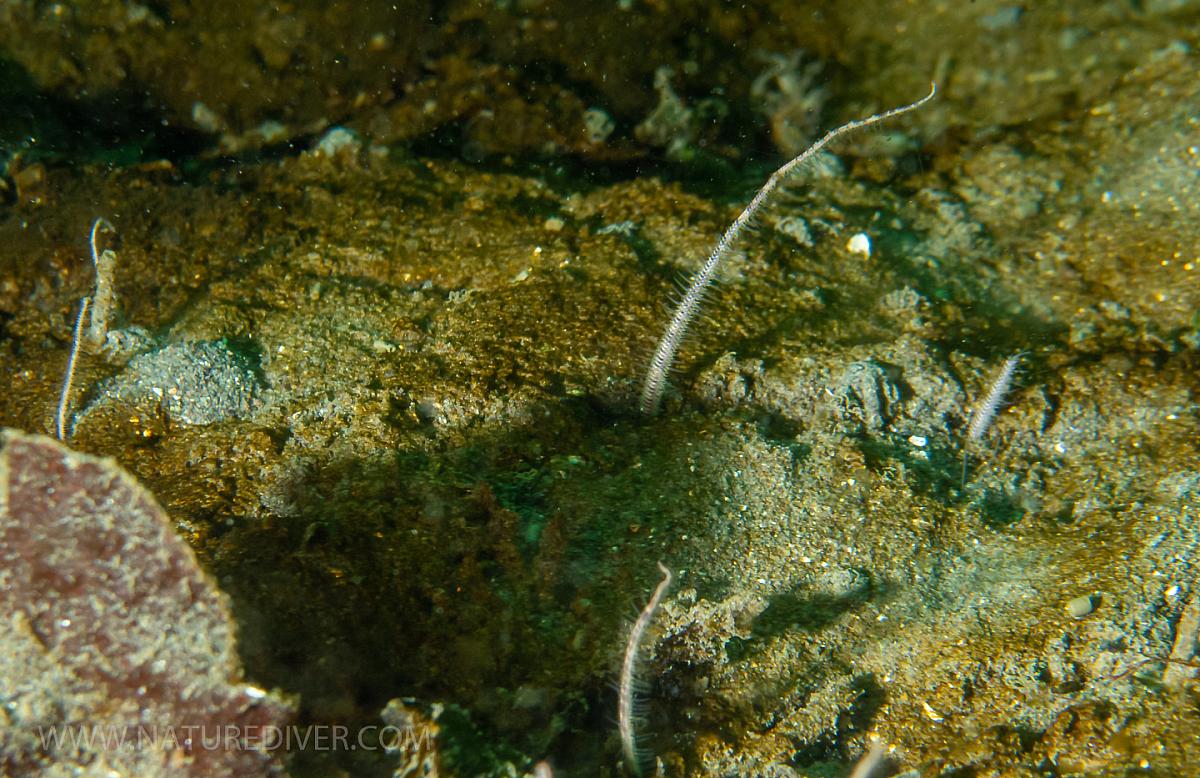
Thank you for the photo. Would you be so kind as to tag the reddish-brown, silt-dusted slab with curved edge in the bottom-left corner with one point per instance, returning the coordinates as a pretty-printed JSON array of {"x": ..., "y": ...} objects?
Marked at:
[{"x": 119, "y": 653}]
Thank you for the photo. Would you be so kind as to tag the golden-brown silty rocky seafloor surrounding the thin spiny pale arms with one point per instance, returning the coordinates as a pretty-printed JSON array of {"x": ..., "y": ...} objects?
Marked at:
[{"x": 387, "y": 286}]
